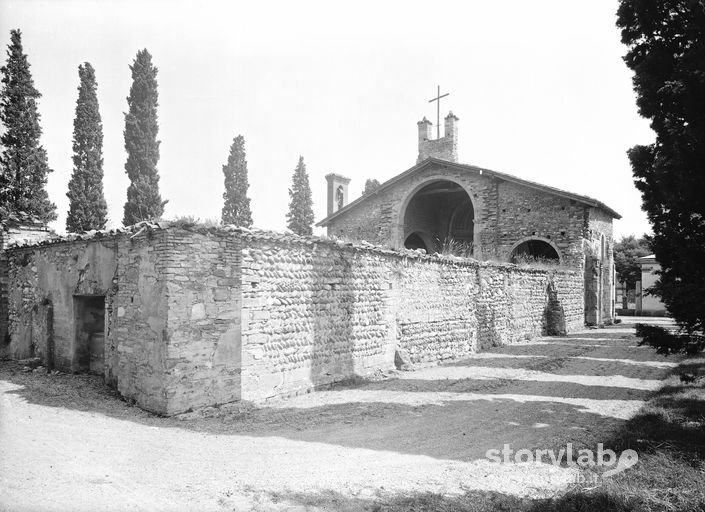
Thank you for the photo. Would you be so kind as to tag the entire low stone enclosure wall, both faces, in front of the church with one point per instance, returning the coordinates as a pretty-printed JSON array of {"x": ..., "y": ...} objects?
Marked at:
[{"x": 201, "y": 317}]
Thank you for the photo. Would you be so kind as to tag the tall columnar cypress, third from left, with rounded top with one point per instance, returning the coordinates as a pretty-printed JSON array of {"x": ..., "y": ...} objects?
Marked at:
[{"x": 143, "y": 199}]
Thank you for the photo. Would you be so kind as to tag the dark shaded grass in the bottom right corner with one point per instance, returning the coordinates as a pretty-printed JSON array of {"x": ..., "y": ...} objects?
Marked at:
[{"x": 668, "y": 435}]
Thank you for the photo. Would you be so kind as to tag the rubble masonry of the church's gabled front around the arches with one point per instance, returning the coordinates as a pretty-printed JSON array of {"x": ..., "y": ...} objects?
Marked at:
[{"x": 506, "y": 214}]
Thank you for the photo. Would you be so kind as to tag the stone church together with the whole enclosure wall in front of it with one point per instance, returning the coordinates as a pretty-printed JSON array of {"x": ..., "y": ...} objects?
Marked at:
[{"x": 177, "y": 316}]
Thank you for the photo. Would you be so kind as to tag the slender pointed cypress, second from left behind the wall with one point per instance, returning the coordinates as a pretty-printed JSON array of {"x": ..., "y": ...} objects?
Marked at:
[{"x": 87, "y": 206}]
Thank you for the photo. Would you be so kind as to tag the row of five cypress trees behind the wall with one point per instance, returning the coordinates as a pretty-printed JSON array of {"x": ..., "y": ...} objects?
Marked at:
[{"x": 24, "y": 166}]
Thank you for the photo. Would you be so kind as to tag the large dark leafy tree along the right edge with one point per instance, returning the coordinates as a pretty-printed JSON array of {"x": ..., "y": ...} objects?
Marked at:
[{"x": 666, "y": 51}]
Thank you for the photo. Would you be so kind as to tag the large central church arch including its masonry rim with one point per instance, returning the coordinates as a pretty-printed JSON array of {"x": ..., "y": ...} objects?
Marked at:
[{"x": 439, "y": 210}]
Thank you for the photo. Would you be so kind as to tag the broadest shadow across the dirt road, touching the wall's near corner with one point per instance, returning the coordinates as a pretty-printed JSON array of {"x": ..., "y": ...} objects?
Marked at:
[{"x": 468, "y": 428}]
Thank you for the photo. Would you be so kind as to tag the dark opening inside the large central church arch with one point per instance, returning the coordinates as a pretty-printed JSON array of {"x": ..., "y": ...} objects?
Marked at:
[{"x": 443, "y": 212}]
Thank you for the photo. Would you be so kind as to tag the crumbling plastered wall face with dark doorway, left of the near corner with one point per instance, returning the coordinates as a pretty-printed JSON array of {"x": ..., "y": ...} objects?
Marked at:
[{"x": 43, "y": 281}]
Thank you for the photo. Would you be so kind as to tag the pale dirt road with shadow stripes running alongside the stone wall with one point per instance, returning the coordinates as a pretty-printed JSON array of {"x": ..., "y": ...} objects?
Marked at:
[{"x": 68, "y": 443}]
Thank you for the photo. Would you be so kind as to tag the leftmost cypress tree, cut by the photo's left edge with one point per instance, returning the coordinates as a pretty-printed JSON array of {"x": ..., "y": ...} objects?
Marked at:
[{"x": 23, "y": 162}]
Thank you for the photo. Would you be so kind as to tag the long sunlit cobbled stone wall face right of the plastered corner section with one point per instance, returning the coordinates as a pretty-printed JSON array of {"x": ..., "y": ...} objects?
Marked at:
[{"x": 316, "y": 312}]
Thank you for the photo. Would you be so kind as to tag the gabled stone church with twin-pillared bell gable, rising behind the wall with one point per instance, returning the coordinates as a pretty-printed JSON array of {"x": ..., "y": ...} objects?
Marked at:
[{"x": 440, "y": 203}]
